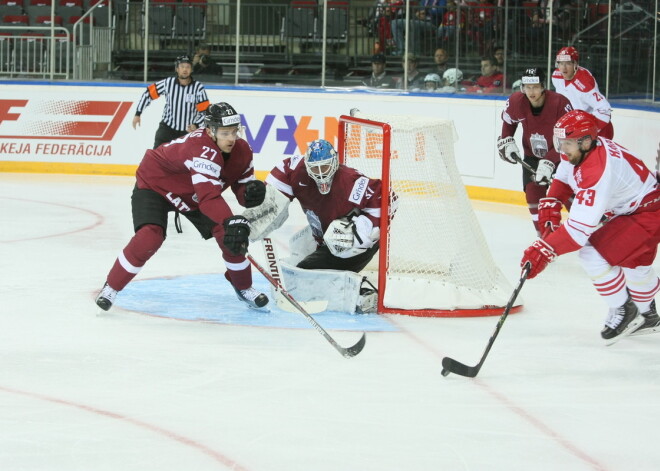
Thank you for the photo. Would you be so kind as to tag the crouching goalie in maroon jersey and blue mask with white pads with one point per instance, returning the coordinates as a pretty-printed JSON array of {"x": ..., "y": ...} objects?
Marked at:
[{"x": 342, "y": 207}]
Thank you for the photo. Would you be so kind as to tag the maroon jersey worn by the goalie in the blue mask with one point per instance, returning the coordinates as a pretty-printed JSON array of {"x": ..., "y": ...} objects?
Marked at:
[{"x": 350, "y": 190}]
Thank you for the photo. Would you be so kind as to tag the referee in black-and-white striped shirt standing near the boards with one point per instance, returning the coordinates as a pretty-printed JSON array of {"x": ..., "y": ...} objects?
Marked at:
[{"x": 185, "y": 103}]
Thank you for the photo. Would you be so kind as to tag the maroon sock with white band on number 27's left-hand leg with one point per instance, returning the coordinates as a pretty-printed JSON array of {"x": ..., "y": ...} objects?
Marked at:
[{"x": 146, "y": 242}]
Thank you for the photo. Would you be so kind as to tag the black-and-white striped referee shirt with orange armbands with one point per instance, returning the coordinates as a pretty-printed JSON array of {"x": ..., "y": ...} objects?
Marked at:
[{"x": 184, "y": 104}]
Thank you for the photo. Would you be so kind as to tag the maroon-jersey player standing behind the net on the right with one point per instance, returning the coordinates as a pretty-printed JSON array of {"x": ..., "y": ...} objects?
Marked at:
[{"x": 536, "y": 110}]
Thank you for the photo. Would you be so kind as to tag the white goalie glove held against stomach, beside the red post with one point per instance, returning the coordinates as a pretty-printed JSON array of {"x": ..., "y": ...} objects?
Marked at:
[{"x": 350, "y": 236}]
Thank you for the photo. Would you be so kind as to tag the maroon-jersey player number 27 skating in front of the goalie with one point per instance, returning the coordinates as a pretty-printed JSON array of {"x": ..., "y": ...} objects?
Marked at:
[{"x": 188, "y": 176}]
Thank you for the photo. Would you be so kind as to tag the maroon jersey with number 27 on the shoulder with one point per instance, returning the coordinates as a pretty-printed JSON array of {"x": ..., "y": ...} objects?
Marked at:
[{"x": 192, "y": 172}]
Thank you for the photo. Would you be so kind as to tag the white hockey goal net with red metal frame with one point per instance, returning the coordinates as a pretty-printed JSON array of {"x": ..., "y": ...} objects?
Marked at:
[{"x": 436, "y": 261}]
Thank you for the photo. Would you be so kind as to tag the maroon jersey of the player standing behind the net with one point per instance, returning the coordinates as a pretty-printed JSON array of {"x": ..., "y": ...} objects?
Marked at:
[{"x": 537, "y": 129}]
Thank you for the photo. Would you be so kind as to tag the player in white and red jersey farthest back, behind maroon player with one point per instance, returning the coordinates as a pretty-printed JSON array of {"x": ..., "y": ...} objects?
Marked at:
[{"x": 579, "y": 86}]
